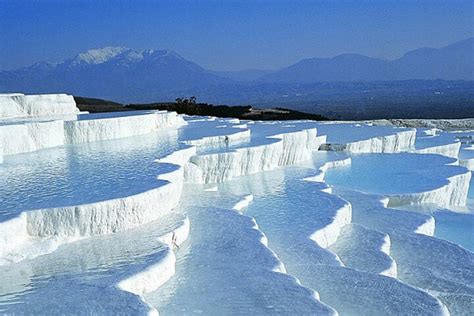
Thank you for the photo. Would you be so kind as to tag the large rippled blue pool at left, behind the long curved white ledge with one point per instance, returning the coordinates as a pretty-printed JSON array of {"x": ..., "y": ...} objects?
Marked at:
[{"x": 83, "y": 173}]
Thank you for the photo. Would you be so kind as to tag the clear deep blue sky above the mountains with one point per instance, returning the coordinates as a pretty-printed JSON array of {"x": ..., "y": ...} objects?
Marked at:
[{"x": 229, "y": 35}]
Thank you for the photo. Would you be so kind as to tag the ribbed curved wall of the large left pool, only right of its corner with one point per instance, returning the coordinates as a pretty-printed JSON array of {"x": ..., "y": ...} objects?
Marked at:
[{"x": 108, "y": 216}]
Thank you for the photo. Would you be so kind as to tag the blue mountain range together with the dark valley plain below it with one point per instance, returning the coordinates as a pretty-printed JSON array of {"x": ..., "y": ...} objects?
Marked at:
[{"x": 425, "y": 82}]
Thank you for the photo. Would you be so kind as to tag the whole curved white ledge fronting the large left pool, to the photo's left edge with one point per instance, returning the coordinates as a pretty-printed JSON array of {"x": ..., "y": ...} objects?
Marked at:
[{"x": 52, "y": 227}]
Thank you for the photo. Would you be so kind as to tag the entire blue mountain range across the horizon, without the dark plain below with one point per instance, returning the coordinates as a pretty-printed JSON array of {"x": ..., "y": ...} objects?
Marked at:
[{"x": 127, "y": 75}]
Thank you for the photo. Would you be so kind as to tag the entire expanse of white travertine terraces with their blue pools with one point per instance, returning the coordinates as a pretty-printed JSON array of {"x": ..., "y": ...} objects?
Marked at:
[{"x": 308, "y": 217}]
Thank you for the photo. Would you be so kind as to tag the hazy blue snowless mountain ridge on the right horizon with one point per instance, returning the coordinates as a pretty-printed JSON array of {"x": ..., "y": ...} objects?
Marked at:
[{"x": 453, "y": 62}]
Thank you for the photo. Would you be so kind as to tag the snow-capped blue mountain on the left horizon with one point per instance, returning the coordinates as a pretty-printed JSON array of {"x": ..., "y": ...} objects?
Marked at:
[{"x": 112, "y": 72}]
